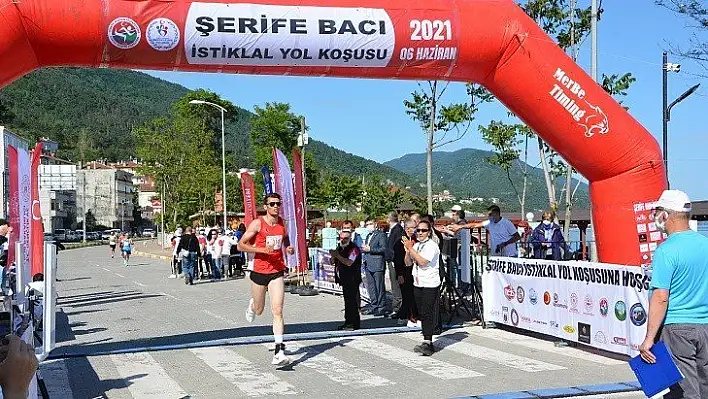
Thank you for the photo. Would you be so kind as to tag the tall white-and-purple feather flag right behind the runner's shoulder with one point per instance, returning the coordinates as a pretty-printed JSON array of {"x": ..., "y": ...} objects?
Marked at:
[{"x": 284, "y": 187}]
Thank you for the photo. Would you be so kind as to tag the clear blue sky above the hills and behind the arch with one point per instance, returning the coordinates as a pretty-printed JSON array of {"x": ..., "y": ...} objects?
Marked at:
[{"x": 367, "y": 117}]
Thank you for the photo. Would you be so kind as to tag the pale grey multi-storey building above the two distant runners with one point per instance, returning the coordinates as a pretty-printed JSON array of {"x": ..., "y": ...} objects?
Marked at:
[{"x": 107, "y": 193}]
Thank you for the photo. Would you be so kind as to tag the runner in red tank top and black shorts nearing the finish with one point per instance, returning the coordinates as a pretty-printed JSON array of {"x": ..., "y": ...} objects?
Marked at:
[{"x": 265, "y": 238}]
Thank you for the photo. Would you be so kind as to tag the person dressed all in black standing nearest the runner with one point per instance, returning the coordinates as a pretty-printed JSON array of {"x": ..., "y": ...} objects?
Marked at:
[{"x": 347, "y": 261}]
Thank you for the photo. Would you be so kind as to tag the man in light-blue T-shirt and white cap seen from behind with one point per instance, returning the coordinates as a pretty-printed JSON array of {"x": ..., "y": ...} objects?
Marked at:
[{"x": 679, "y": 296}]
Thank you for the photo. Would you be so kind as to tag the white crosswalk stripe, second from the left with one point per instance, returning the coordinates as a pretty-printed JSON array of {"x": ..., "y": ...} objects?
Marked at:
[{"x": 145, "y": 377}]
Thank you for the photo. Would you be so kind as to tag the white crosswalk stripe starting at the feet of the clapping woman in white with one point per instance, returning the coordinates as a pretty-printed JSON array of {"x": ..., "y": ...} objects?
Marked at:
[{"x": 488, "y": 354}]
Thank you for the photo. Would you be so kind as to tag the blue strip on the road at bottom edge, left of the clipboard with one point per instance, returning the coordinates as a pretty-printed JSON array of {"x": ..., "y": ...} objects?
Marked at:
[{"x": 549, "y": 393}]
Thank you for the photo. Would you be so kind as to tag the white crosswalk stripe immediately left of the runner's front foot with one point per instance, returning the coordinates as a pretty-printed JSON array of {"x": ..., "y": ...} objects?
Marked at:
[{"x": 239, "y": 371}]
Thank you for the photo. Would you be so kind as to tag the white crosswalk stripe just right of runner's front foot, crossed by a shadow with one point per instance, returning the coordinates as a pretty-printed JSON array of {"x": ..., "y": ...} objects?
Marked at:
[{"x": 331, "y": 367}]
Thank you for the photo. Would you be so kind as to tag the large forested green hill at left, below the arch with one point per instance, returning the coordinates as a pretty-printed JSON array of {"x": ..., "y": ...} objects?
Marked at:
[{"x": 104, "y": 104}]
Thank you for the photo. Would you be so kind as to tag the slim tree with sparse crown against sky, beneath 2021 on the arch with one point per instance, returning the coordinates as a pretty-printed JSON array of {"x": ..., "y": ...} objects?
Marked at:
[{"x": 438, "y": 120}]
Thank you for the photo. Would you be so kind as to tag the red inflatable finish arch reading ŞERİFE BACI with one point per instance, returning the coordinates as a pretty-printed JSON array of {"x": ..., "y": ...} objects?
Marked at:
[{"x": 485, "y": 41}]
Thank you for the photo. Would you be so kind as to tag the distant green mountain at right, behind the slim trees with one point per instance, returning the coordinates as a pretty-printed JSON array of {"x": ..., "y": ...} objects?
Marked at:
[{"x": 467, "y": 174}]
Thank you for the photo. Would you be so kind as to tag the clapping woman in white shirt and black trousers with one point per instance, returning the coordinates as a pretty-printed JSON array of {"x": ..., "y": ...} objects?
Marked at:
[{"x": 423, "y": 256}]
